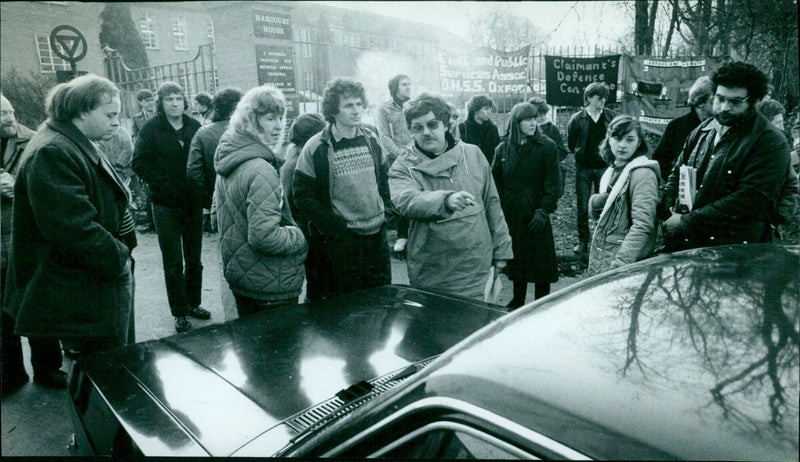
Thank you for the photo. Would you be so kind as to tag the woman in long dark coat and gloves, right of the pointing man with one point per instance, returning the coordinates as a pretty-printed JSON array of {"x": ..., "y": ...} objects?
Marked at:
[{"x": 525, "y": 171}]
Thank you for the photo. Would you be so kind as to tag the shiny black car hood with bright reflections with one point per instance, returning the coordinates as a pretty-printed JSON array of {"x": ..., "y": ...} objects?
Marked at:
[{"x": 219, "y": 387}]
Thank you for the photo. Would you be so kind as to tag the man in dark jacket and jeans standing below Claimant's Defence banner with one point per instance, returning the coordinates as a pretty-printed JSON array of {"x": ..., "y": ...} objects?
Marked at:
[{"x": 585, "y": 131}]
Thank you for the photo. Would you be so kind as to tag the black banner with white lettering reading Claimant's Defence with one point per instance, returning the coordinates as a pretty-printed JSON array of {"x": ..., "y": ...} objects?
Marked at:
[{"x": 567, "y": 77}]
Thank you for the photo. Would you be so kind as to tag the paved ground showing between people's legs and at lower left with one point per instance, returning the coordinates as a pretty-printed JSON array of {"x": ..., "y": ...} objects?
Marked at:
[{"x": 36, "y": 420}]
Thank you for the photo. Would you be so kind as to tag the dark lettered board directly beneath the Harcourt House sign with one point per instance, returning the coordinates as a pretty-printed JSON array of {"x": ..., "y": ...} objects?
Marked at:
[{"x": 276, "y": 67}]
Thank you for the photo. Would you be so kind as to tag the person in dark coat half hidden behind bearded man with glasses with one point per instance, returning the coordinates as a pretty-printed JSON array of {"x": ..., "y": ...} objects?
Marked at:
[{"x": 678, "y": 129}]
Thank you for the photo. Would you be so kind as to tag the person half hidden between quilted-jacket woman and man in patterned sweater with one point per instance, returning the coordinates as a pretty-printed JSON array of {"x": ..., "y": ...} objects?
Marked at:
[{"x": 317, "y": 264}]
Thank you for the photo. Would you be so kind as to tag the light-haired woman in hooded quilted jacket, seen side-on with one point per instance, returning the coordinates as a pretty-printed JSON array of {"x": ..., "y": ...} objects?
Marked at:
[{"x": 262, "y": 248}]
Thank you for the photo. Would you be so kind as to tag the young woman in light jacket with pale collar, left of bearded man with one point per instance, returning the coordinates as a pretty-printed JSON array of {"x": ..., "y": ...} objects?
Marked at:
[{"x": 625, "y": 207}]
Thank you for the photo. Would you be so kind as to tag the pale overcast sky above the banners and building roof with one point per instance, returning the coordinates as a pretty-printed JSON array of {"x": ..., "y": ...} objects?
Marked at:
[{"x": 570, "y": 22}]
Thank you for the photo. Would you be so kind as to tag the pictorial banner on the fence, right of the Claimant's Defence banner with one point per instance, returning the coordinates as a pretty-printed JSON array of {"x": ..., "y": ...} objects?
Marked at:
[{"x": 657, "y": 90}]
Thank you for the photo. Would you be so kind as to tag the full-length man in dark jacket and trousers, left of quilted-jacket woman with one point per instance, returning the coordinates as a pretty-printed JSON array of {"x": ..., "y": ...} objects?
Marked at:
[{"x": 159, "y": 158}]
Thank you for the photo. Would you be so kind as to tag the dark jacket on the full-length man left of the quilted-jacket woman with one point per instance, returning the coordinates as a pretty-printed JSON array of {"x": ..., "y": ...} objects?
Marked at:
[{"x": 159, "y": 158}]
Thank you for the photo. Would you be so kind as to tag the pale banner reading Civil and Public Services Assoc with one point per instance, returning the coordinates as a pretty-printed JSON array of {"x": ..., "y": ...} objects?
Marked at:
[{"x": 484, "y": 71}]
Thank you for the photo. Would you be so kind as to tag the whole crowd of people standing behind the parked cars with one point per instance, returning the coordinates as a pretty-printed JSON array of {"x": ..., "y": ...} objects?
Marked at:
[{"x": 466, "y": 201}]
